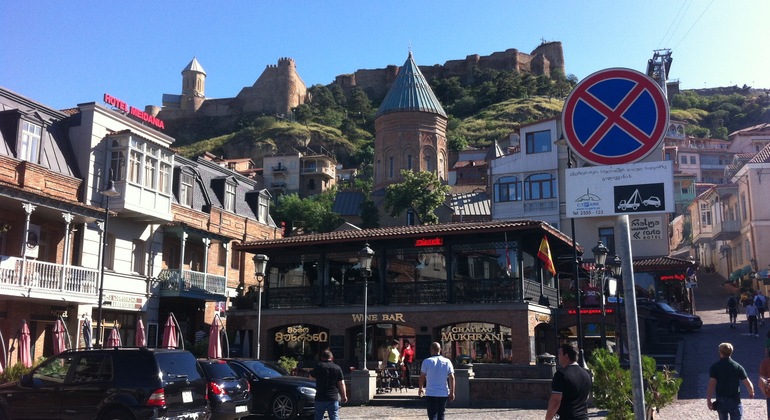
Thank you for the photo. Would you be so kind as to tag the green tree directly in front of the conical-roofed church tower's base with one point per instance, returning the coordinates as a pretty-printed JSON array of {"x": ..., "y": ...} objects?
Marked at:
[{"x": 421, "y": 191}]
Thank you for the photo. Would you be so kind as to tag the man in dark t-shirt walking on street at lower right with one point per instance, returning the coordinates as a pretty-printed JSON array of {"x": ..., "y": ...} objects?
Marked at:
[{"x": 725, "y": 377}]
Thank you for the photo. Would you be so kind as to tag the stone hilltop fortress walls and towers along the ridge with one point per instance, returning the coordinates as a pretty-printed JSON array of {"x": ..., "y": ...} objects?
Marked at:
[{"x": 280, "y": 88}]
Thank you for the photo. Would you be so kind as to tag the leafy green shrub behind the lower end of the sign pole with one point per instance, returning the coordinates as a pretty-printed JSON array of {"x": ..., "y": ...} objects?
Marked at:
[{"x": 612, "y": 386}]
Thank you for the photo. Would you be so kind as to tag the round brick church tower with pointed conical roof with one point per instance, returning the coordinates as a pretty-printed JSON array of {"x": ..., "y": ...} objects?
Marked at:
[{"x": 410, "y": 129}]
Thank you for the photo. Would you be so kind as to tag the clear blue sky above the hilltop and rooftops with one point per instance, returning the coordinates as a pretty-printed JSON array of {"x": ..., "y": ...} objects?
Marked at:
[{"x": 61, "y": 53}]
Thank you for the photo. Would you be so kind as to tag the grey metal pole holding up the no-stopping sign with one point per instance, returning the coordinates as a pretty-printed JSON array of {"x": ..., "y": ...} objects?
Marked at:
[{"x": 632, "y": 325}]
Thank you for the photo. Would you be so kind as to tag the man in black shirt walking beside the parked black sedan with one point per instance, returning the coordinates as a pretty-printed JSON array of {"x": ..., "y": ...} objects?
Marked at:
[{"x": 329, "y": 386}]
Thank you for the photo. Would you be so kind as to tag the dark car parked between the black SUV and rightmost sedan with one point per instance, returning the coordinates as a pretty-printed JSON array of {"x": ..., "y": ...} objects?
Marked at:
[{"x": 229, "y": 396}]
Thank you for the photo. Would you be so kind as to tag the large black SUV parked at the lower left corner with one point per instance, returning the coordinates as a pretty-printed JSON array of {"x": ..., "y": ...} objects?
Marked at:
[{"x": 110, "y": 384}]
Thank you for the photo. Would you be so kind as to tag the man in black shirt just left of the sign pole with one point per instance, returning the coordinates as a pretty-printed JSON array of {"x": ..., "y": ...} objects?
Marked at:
[{"x": 570, "y": 388}]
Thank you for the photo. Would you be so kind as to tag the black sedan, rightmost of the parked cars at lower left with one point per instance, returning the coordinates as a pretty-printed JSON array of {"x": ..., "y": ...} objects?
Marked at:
[{"x": 273, "y": 391}]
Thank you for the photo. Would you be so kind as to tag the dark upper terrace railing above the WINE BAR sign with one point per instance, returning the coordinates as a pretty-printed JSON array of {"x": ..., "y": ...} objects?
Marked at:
[{"x": 503, "y": 290}]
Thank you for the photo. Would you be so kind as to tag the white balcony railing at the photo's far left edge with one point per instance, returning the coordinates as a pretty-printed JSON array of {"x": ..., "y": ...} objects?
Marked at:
[{"x": 45, "y": 276}]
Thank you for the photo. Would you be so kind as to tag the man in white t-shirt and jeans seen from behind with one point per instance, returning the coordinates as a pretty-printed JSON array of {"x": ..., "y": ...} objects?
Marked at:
[{"x": 437, "y": 382}]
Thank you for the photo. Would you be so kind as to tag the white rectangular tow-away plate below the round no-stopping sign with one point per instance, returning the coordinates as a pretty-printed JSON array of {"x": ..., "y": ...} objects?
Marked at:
[{"x": 620, "y": 189}]
